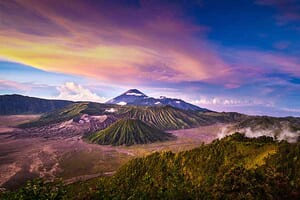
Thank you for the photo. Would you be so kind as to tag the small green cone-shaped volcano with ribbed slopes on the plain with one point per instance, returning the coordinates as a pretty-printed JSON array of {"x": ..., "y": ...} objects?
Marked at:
[{"x": 129, "y": 132}]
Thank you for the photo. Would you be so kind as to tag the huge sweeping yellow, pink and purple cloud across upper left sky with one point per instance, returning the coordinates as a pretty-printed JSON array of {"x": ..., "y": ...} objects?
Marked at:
[{"x": 109, "y": 46}]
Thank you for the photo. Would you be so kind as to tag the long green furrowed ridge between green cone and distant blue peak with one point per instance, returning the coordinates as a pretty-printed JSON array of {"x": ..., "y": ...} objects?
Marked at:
[{"x": 161, "y": 117}]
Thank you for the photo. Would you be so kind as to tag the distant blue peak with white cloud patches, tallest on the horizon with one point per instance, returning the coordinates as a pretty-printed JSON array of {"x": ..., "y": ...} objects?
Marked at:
[{"x": 135, "y": 97}]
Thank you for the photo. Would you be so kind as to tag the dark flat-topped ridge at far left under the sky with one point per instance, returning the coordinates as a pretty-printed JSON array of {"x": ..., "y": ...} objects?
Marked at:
[{"x": 18, "y": 104}]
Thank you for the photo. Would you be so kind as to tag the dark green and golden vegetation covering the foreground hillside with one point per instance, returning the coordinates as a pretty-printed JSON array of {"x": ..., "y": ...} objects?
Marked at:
[{"x": 235, "y": 167}]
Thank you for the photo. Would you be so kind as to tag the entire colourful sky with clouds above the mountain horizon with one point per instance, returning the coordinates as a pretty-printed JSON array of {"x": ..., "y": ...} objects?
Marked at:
[{"x": 225, "y": 55}]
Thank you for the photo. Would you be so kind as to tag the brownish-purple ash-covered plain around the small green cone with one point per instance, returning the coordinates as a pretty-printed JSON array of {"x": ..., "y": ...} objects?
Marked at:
[{"x": 58, "y": 150}]
